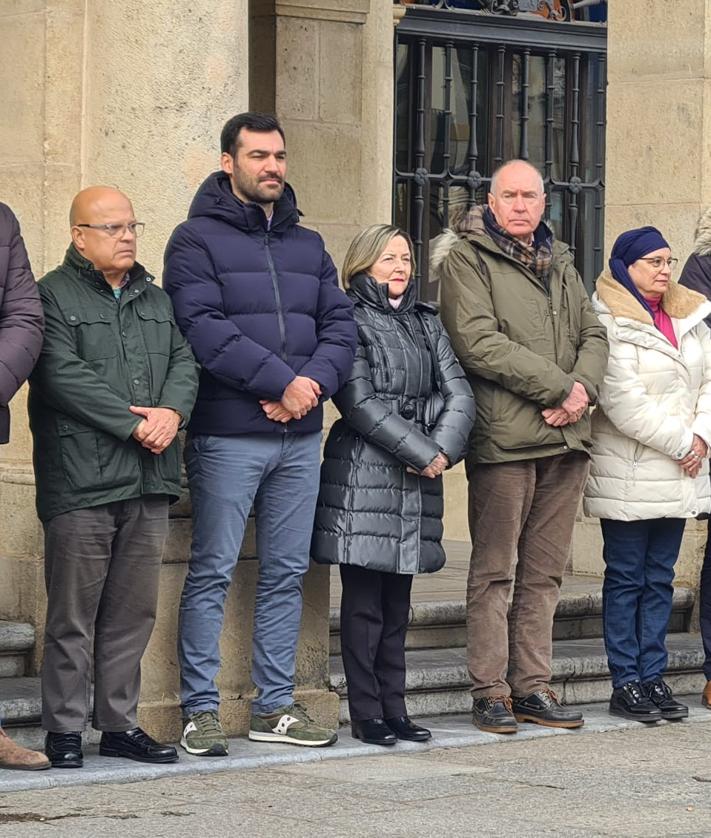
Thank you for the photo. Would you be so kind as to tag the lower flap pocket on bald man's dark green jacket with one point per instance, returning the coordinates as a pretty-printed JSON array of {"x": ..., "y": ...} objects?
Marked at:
[{"x": 92, "y": 460}]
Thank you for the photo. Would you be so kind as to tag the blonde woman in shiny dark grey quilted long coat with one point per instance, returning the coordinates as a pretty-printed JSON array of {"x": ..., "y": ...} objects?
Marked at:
[{"x": 406, "y": 413}]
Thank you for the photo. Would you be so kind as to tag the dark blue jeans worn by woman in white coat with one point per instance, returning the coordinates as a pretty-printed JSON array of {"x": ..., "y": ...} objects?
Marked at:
[{"x": 637, "y": 595}]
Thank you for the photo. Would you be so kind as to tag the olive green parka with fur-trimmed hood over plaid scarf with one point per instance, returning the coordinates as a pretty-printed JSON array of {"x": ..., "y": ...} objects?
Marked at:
[{"x": 522, "y": 344}]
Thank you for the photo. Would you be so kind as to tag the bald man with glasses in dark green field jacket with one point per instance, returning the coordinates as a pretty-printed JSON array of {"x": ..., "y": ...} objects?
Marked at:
[{"x": 114, "y": 382}]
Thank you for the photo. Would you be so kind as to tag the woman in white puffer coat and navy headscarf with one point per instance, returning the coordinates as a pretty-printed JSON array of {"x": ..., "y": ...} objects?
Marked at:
[{"x": 649, "y": 472}]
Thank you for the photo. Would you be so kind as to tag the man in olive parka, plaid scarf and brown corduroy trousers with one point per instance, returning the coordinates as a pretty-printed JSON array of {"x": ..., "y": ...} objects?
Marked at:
[{"x": 535, "y": 353}]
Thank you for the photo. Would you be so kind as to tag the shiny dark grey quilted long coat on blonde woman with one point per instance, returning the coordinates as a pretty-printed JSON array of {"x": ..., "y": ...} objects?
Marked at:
[{"x": 406, "y": 400}]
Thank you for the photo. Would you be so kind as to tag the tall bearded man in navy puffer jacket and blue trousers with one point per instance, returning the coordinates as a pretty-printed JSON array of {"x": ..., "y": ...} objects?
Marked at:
[{"x": 257, "y": 297}]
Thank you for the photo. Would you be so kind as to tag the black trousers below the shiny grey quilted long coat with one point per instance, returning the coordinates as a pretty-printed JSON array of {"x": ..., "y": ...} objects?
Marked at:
[{"x": 375, "y": 609}]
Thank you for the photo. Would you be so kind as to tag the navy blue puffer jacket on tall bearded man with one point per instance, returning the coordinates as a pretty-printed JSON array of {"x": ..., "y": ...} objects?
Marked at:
[{"x": 258, "y": 307}]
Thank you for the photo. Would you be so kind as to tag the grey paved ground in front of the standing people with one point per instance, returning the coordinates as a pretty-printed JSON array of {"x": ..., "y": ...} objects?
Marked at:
[{"x": 611, "y": 779}]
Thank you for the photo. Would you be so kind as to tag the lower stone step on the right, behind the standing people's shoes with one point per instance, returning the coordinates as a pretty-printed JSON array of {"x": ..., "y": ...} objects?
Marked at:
[{"x": 438, "y": 679}]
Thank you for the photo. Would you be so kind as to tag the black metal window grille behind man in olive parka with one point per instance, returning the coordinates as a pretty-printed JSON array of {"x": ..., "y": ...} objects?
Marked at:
[{"x": 474, "y": 90}]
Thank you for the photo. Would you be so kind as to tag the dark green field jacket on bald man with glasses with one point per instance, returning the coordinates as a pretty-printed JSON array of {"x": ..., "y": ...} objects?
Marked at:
[{"x": 101, "y": 355}]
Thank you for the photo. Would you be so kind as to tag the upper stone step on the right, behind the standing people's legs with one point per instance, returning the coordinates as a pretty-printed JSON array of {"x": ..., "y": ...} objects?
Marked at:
[{"x": 438, "y": 625}]
